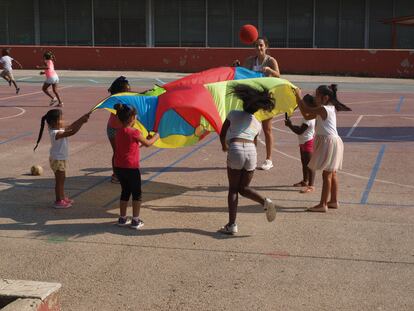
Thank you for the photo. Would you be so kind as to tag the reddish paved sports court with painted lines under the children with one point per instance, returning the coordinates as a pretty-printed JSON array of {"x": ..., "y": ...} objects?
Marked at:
[{"x": 359, "y": 257}]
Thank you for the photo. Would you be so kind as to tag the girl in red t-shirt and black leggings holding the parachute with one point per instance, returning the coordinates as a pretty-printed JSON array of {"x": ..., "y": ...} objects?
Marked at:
[{"x": 126, "y": 161}]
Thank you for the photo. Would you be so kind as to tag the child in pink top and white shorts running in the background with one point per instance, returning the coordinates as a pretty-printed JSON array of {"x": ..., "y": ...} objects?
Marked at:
[{"x": 52, "y": 78}]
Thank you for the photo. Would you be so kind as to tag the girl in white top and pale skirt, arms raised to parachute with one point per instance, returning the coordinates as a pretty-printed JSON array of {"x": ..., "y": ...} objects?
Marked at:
[{"x": 329, "y": 148}]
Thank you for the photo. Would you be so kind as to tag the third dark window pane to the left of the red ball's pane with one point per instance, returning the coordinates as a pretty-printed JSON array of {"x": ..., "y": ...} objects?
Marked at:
[{"x": 166, "y": 23}]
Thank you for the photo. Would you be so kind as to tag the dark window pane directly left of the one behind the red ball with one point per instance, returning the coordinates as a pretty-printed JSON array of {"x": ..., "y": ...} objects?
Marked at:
[{"x": 219, "y": 23}]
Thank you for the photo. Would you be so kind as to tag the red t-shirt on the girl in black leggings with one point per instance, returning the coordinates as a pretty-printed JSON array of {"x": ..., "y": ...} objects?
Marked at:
[{"x": 127, "y": 148}]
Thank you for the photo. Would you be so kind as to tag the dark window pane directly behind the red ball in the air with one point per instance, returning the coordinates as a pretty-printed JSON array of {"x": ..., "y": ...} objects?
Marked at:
[{"x": 245, "y": 12}]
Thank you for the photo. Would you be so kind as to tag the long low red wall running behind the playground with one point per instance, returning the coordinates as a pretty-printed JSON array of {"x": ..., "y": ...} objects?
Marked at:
[{"x": 381, "y": 63}]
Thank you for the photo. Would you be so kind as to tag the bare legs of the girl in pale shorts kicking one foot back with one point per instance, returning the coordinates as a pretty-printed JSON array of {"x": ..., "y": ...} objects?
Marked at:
[{"x": 239, "y": 181}]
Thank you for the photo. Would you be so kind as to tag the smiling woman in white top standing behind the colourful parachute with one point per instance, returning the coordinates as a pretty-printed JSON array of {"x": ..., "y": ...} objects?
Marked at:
[{"x": 267, "y": 64}]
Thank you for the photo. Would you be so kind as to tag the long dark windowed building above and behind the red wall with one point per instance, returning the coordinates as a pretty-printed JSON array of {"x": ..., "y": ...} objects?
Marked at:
[{"x": 207, "y": 23}]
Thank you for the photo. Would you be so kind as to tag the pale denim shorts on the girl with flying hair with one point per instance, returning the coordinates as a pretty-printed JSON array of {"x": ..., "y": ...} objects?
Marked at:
[{"x": 242, "y": 156}]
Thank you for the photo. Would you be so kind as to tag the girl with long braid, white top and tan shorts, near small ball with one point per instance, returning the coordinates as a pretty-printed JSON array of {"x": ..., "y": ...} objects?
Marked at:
[{"x": 59, "y": 150}]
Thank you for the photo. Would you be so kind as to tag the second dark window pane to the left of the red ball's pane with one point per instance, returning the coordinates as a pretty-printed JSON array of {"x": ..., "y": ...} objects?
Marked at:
[{"x": 193, "y": 22}]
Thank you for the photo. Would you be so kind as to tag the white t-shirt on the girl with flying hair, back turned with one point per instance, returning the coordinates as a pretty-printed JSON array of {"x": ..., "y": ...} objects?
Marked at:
[{"x": 243, "y": 125}]
